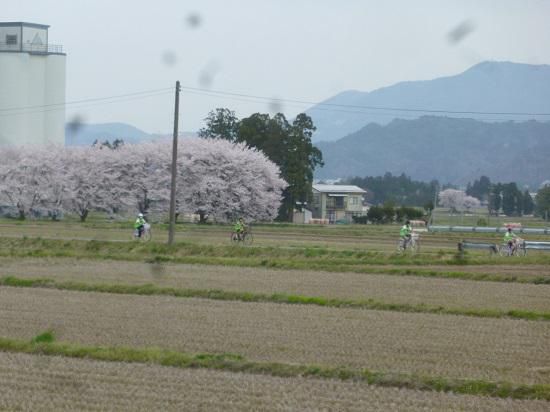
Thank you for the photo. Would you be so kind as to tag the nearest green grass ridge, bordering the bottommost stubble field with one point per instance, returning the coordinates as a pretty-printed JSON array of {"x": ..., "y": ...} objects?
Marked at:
[{"x": 236, "y": 363}]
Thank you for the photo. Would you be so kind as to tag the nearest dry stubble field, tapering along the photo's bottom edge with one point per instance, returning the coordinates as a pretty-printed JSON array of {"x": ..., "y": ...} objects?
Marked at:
[{"x": 34, "y": 382}]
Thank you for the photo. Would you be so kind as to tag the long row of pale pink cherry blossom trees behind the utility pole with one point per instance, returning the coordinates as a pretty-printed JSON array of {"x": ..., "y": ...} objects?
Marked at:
[{"x": 216, "y": 179}]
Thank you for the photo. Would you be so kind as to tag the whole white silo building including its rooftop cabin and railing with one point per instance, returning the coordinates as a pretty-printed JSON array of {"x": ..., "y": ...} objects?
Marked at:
[{"x": 32, "y": 86}]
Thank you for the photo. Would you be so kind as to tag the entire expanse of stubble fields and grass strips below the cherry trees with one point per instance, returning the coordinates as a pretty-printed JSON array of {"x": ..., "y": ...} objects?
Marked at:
[{"x": 267, "y": 354}]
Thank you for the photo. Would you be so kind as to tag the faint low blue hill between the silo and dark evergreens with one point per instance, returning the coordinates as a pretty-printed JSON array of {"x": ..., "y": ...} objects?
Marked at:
[{"x": 86, "y": 134}]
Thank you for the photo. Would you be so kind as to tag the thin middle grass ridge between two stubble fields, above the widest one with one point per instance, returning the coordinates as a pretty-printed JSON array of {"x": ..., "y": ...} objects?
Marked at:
[{"x": 281, "y": 298}]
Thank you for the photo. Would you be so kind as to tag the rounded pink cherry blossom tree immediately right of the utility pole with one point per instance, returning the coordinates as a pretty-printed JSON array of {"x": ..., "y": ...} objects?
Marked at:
[{"x": 226, "y": 180}]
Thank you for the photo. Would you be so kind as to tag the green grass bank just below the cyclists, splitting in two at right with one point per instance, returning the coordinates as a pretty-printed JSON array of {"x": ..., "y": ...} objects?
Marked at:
[{"x": 264, "y": 257}]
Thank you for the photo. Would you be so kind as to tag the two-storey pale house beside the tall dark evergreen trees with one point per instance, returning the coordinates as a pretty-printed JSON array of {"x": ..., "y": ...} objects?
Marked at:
[{"x": 337, "y": 202}]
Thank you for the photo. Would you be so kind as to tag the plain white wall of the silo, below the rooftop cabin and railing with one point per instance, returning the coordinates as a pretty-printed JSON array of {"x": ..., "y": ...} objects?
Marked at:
[{"x": 28, "y": 80}]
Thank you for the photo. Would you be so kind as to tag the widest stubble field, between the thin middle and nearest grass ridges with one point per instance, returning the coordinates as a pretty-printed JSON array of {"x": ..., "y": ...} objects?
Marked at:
[{"x": 437, "y": 345}]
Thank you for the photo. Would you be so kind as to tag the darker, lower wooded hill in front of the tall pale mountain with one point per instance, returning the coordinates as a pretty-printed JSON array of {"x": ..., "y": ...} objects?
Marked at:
[{"x": 448, "y": 149}]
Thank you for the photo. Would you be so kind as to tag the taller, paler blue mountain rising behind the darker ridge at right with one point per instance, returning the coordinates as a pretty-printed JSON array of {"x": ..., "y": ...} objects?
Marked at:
[{"x": 485, "y": 87}]
